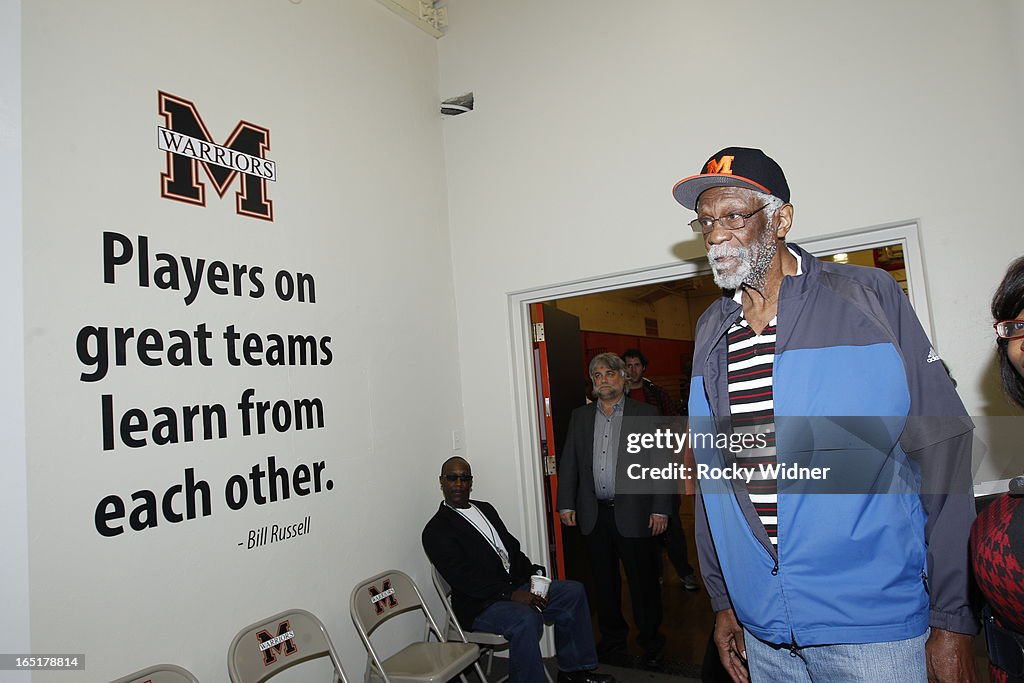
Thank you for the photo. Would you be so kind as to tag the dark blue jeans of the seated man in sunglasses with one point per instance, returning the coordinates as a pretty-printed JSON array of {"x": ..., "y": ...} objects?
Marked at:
[{"x": 523, "y": 627}]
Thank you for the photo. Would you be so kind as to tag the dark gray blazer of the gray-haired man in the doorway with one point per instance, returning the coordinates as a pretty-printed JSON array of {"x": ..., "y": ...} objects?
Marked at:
[{"x": 576, "y": 476}]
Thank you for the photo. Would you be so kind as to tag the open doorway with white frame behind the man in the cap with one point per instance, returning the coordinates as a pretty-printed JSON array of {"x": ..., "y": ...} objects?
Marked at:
[{"x": 657, "y": 309}]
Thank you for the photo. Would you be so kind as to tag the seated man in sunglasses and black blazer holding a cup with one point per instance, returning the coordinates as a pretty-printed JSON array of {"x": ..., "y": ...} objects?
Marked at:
[{"x": 468, "y": 544}]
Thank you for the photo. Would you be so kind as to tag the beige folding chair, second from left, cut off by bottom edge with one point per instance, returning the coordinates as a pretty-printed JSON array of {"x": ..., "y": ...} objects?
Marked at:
[{"x": 264, "y": 650}]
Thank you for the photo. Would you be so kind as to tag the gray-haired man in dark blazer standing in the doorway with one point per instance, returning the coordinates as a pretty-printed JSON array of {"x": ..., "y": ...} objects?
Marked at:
[{"x": 616, "y": 528}]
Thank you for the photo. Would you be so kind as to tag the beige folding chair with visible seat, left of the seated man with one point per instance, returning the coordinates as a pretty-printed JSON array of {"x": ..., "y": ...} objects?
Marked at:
[{"x": 393, "y": 593}]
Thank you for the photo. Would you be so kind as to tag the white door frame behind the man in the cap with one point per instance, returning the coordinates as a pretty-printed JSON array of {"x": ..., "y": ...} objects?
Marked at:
[{"x": 525, "y": 386}]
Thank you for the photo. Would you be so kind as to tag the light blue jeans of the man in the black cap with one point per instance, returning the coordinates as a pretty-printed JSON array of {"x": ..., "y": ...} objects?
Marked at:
[{"x": 894, "y": 662}]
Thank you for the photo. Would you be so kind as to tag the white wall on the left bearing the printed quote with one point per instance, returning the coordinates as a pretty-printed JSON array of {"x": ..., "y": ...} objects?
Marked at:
[{"x": 350, "y": 94}]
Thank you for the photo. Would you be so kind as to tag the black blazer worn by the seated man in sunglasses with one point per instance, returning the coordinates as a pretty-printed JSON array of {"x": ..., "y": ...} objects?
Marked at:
[{"x": 471, "y": 565}]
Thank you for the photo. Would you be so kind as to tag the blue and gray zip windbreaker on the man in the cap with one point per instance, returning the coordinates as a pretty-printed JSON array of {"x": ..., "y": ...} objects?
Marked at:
[{"x": 880, "y": 552}]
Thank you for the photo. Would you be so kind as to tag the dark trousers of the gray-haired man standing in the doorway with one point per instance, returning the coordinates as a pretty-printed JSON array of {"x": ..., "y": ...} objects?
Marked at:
[{"x": 642, "y": 562}]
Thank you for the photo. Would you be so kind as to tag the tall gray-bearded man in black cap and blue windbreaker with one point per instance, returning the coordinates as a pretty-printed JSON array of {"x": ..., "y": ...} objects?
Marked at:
[{"x": 864, "y": 586}]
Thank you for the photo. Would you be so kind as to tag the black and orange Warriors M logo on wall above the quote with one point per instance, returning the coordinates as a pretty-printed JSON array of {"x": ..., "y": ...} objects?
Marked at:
[{"x": 189, "y": 146}]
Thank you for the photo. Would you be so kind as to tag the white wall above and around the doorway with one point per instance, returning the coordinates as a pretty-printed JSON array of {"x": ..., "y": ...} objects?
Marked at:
[{"x": 588, "y": 112}]
